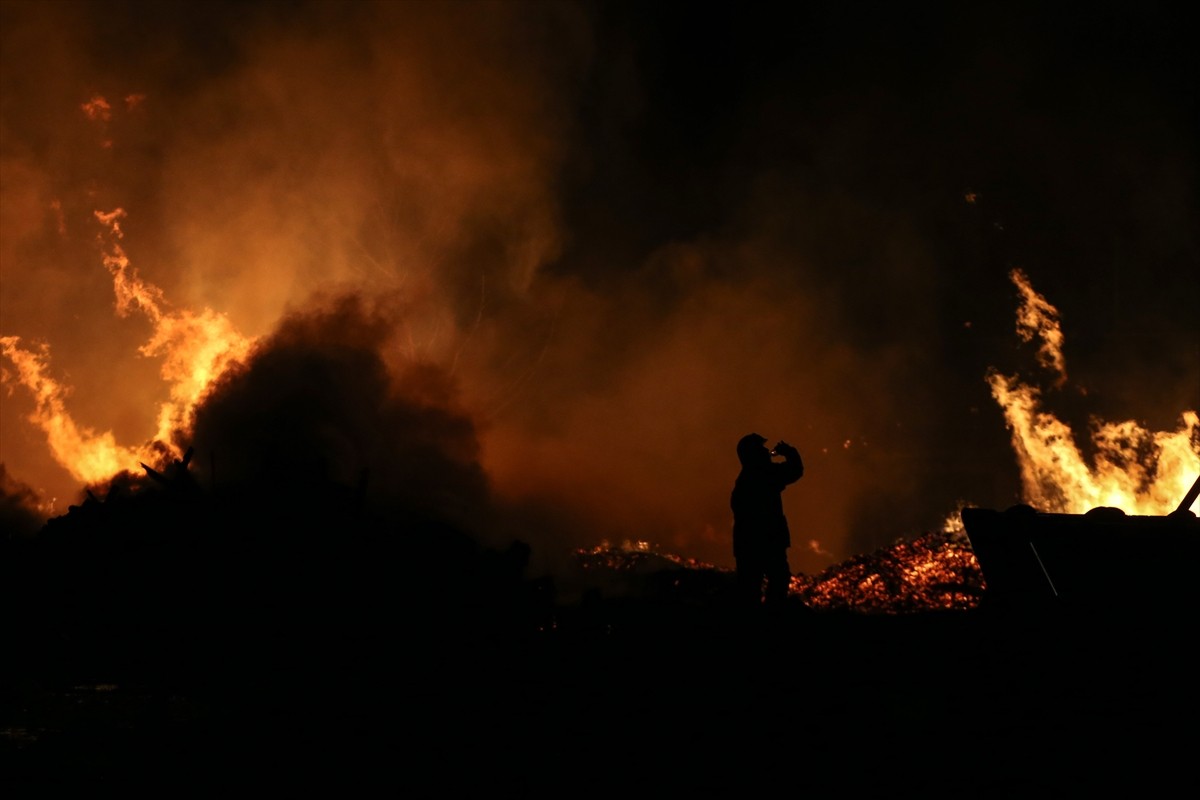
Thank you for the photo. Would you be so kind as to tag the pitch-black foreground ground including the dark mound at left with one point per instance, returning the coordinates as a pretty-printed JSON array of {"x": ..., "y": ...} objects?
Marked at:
[{"x": 176, "y": 643}]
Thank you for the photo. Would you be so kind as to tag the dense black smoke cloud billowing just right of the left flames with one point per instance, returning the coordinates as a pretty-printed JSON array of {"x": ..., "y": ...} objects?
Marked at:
[{"x": 316, "y": 406}]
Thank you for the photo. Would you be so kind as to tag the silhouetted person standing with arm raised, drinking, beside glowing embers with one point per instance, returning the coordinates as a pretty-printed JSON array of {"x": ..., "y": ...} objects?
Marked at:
[{"x": 760, "y": 530}]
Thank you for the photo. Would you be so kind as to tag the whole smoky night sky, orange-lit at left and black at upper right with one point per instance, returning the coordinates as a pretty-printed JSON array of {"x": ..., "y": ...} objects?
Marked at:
[{"x": 631, "y": 232}]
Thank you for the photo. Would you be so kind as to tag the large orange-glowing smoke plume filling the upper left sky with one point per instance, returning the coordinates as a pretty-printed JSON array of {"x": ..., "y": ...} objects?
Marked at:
[{"x": 262, "y": 154}]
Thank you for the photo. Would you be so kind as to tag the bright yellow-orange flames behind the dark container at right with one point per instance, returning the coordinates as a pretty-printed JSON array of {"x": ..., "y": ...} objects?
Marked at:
[{"x": 1137, "y": 471}]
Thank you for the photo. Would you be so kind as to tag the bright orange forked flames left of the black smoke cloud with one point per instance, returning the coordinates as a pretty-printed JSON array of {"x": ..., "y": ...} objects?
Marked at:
[{"x": 196, "y": 350}]
